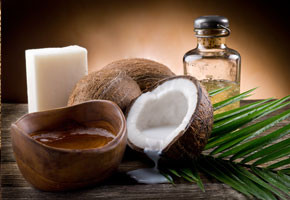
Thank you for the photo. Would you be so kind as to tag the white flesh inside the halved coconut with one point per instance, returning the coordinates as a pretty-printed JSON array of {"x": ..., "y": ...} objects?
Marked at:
[{"x": 159, "y": 116}]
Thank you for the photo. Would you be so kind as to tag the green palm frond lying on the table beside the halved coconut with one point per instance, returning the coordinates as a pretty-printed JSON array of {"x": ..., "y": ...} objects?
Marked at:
[{"x": 241, "y": 156}]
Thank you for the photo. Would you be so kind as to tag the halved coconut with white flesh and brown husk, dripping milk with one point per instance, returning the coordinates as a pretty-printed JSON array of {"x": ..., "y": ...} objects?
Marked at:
[{"x": 174, "y": 117}]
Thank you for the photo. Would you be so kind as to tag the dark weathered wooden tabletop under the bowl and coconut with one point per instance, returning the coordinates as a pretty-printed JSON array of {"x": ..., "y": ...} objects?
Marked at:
[{"x": 119, "y": 186}]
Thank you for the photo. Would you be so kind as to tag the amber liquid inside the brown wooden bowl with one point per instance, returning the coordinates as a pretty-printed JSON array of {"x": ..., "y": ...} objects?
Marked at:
[{"x": 76, "y": 136}]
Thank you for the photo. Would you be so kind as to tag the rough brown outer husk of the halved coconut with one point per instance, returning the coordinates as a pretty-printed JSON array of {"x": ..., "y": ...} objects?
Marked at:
[{"x": 191, "y": 141}]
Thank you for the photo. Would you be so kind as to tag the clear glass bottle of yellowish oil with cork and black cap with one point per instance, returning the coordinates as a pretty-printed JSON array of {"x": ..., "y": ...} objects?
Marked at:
[{"x": 212, "y": 62}]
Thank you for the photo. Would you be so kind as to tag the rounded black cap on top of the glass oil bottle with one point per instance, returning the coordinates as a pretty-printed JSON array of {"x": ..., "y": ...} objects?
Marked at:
[{"x": 211, "y": 21}]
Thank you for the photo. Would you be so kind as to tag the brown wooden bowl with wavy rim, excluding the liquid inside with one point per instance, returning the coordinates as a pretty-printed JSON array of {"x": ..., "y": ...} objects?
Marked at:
[{"x": 55, "y": 169}]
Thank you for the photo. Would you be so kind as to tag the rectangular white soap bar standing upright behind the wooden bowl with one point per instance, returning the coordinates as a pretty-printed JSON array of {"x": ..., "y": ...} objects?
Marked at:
[{"x": 52, "y": 74}]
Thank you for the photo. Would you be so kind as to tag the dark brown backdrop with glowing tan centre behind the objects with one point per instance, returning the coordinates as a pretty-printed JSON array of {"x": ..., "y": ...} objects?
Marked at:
[{"x": 158, "y": 30}]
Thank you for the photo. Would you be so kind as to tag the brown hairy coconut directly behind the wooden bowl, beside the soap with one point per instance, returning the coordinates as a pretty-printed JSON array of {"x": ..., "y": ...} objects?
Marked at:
[{"x": 118, "y": 88}]
